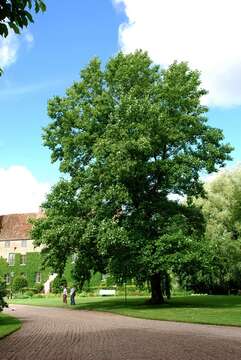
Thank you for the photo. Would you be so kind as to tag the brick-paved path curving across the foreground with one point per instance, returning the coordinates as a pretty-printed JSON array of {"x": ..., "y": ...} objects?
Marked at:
[{"x": 62, "y": 334}]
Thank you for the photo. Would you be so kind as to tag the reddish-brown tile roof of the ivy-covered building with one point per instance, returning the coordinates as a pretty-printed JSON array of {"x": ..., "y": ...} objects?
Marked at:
[{"x": 15, "y": 226}]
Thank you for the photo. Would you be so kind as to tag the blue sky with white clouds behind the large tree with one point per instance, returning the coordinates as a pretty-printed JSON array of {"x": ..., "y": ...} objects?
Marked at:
[{"x": 47, "y": 58}]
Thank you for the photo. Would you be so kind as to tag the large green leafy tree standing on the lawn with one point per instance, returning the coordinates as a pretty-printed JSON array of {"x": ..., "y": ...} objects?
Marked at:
[{"x": 129, "y": 136}]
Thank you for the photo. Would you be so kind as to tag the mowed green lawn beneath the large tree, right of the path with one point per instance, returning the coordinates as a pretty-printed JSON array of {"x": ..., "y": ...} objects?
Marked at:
[{"x": 217, "y": 310}]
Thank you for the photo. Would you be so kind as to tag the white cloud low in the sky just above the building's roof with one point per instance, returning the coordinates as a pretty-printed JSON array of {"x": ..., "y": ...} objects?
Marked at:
[{"x": 20, "y": 191}]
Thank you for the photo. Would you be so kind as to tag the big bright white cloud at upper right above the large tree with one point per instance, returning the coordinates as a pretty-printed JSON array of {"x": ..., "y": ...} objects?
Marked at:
[{"x": 205, "y": 33}]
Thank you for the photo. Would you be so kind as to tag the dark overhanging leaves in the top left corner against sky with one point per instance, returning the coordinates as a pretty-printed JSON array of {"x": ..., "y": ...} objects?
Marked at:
[{"x": 17, "y": 14}]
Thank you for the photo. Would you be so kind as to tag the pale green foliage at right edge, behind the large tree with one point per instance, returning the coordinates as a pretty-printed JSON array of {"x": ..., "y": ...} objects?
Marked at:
[{"x": 220, "y": 269}]
